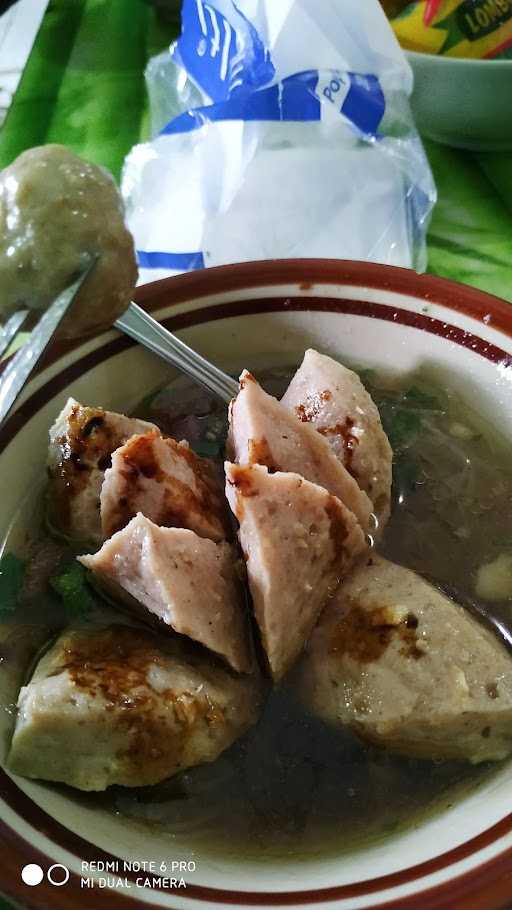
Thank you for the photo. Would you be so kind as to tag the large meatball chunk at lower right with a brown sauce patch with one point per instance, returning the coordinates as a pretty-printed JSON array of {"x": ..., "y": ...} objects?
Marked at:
[{"x": 409, "y": 669}]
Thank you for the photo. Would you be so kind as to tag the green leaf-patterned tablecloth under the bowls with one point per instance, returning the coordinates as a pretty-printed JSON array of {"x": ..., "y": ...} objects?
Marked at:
[{"x": 83, "y": 86}]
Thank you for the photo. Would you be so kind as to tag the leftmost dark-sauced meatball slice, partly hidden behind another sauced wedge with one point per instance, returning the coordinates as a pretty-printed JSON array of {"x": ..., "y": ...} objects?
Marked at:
[{"x": 82, "y": 440}]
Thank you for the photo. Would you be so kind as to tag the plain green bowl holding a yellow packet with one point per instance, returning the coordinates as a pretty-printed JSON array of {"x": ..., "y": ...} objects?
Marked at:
[{"x": 464, "y": 103}]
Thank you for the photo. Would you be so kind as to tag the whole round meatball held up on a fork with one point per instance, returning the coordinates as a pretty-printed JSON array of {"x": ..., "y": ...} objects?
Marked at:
[{"x": 57, "y": 211}]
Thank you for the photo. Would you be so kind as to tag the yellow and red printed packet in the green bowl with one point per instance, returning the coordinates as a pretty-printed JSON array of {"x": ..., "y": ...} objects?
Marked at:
[{"x": 457, "y": 28}]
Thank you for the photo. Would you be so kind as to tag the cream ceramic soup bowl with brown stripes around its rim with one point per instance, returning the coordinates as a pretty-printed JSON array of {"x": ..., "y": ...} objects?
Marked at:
[{"x": 266, "y": 312}]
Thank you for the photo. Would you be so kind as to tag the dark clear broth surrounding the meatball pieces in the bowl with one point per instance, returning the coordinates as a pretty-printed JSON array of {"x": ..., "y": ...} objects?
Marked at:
[{"x": 292, "y": 785}]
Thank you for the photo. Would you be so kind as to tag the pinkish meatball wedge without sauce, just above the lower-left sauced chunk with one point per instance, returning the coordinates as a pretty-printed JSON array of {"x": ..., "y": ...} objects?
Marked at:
[{"x": 187, "y": 582}]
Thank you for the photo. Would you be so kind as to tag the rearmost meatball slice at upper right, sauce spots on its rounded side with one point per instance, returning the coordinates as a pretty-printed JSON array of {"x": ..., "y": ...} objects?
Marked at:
[{"x": 333, "y": 400}]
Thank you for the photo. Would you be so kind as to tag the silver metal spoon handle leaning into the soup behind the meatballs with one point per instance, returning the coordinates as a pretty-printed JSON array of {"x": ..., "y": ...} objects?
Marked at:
[{"x": 140, "y": 326}]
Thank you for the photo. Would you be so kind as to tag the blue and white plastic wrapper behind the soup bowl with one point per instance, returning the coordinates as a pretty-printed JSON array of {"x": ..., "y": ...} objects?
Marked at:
[{"x": 282, "y": 129}]
